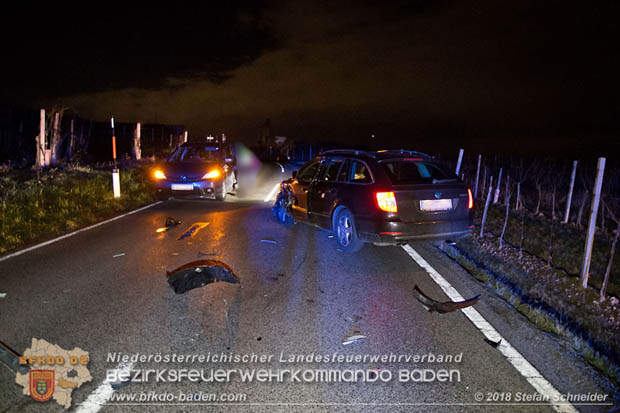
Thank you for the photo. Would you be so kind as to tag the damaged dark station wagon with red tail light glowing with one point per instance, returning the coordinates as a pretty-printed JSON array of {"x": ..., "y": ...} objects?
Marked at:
[{"x": 386, "y": 197}]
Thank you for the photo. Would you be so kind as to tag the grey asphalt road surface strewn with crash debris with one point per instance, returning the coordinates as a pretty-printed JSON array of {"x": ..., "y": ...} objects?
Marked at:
[{"x": 299, "y": 295}]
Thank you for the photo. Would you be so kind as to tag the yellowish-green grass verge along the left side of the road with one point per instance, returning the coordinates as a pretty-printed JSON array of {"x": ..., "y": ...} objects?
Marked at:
[{"x": 40, "y": 206}]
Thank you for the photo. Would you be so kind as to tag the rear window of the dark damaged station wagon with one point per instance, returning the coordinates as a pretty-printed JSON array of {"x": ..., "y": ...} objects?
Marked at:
[{"x": 408, "y": 172}]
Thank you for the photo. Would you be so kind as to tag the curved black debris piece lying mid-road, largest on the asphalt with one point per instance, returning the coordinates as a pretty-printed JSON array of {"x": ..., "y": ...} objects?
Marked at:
[{"x": 200, "y": 273}]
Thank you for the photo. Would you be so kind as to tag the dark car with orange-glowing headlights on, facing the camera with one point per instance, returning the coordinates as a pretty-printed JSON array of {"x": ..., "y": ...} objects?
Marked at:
[{"x": 196, "y": 170}]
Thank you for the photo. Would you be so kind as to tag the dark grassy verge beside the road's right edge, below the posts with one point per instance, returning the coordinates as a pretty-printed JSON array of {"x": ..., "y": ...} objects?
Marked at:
[{"x": 549, "y": 298}]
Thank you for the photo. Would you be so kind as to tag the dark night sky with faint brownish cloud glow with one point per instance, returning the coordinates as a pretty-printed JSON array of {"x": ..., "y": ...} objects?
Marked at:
[{"x": 511, "y": 75}]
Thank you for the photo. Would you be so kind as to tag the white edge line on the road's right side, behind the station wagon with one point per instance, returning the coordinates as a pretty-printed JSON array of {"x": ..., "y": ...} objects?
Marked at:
[{"x": 533, "y": 376}]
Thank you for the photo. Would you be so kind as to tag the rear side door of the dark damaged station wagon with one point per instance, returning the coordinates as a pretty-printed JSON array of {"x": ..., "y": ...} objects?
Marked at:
[{"x": 324, "y": 191}]
